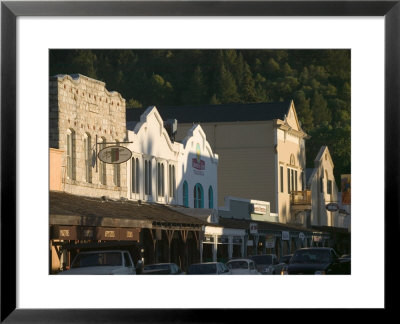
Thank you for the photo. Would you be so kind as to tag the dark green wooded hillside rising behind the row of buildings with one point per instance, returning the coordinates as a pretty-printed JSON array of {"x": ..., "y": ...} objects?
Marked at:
[{"x": 317, "y": 80}]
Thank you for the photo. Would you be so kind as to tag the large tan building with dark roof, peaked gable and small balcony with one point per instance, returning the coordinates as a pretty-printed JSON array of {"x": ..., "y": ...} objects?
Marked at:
[{"x": 261, "y": 150}]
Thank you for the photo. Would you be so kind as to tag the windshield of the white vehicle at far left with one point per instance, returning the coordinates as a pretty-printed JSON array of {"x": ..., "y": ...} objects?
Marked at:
[{"x": 97, "y": 259}]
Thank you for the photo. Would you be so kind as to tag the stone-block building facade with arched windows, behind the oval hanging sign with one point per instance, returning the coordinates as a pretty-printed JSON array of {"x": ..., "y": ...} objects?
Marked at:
[{"x": 83, "y": 111}]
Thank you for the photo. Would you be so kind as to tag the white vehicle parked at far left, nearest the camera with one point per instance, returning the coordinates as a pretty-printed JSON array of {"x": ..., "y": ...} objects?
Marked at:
[{"x": 109, "y": 262}]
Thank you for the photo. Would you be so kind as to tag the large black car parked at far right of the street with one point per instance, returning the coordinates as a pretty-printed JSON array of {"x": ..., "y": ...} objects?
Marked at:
[{"x": 317, "y": 261}]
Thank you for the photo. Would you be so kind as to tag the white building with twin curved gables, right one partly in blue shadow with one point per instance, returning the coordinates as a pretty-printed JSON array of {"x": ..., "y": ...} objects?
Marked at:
[{"x": 164, "y": 171}]
